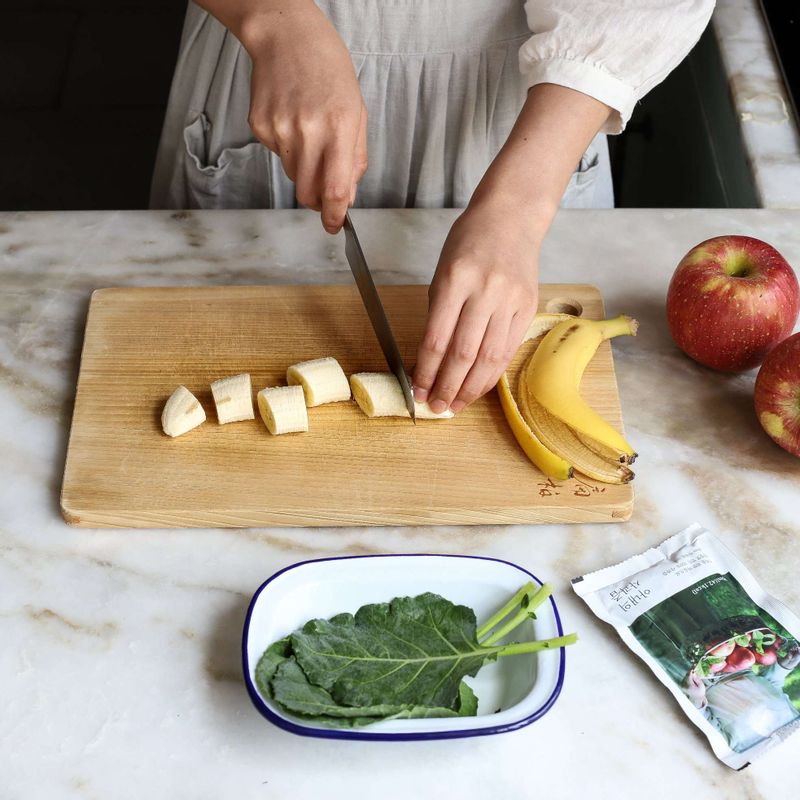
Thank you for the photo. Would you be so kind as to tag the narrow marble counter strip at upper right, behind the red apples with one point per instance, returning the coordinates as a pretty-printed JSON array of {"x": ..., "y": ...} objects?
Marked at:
[{"x": 760, "y": 99}]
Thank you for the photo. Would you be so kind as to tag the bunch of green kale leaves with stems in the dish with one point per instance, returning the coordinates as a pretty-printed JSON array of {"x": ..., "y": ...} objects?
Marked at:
[{"x": 399, "y": 660}]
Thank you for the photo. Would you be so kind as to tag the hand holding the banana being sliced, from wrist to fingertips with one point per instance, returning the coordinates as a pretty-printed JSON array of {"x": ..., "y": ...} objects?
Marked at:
[{"x": 482, "y": 300}]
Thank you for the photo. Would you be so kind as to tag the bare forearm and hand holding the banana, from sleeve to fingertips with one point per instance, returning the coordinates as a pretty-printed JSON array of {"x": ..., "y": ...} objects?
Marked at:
[{"x": 484, "y": 293}]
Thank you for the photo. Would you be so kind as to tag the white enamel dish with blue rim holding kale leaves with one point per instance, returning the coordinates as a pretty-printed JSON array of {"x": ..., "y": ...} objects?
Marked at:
[{"x": 512, "y": 692}]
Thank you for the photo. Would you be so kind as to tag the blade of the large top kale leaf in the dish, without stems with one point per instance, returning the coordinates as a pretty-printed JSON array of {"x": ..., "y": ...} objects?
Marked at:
[{"x": 413, "y": 651}]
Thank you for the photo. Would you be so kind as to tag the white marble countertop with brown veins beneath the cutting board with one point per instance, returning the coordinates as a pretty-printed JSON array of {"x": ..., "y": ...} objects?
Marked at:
[{"x": 119, "y": 666}]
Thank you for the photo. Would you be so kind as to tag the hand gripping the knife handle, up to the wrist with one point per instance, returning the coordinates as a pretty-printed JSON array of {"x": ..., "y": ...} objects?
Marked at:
[{"x": 306, "y": 104}]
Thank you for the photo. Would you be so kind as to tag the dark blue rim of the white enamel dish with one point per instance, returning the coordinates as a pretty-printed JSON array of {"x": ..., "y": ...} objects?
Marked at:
[{"x": 364, "y": 734}]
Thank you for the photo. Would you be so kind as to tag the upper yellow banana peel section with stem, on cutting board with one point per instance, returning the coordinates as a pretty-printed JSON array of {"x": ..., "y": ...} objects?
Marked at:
[{"x": 554, "y": 373}]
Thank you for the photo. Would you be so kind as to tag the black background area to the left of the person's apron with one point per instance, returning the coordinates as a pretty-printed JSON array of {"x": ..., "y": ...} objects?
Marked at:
[{"x": 83, "y": 87}]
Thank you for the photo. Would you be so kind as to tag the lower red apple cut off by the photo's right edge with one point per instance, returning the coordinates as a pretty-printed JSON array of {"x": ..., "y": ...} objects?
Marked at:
[{"x": 777, "y": 394}]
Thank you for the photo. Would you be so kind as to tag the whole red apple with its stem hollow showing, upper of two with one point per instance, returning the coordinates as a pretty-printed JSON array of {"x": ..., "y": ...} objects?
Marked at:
[{"x": 730, "y": 301}]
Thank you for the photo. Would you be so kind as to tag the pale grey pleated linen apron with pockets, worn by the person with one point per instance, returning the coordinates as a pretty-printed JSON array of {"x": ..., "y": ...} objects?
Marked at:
[{"x": 441, "y": 83}]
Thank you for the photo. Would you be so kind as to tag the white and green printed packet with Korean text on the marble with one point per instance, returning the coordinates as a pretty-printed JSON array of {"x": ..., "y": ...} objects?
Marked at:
[{"x": 726, "y": 649}]
